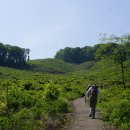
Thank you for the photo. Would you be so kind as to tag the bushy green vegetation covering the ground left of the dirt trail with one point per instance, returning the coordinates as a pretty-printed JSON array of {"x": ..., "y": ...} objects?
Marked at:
[{"x": 32, "y": 100}]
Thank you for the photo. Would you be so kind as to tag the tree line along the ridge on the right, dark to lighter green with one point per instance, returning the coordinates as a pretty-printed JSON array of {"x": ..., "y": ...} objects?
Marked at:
[{"x": 112, "y": 47}]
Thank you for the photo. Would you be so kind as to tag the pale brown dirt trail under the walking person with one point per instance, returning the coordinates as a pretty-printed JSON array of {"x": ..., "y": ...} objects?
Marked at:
[{"x": 80, "y": 119}]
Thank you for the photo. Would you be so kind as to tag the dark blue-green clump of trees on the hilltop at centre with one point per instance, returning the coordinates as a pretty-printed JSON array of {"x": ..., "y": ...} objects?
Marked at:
[{"x": 76, "y": 55}]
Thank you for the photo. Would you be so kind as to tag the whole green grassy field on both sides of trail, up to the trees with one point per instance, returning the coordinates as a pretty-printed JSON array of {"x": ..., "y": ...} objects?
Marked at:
[{"x": 39, "y": 97}]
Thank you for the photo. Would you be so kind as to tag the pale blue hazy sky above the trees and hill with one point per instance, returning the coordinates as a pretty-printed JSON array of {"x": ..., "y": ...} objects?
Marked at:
[{"x": 46, "y": 26}]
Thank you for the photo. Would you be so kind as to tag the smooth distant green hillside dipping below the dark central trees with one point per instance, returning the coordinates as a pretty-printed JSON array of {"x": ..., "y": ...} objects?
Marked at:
[{"x": 56, "y": 66}]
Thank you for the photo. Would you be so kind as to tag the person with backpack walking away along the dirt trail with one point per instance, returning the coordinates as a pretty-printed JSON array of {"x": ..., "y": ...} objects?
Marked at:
[{"x": 93, "y": 93}]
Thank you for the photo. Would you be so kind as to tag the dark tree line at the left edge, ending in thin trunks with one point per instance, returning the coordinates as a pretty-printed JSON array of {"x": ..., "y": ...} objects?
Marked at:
[{"x": 13, "y": 55}]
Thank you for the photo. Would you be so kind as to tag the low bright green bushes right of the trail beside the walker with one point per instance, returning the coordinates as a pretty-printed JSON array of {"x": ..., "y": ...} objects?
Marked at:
[{"x": 116, "y": 107}]
